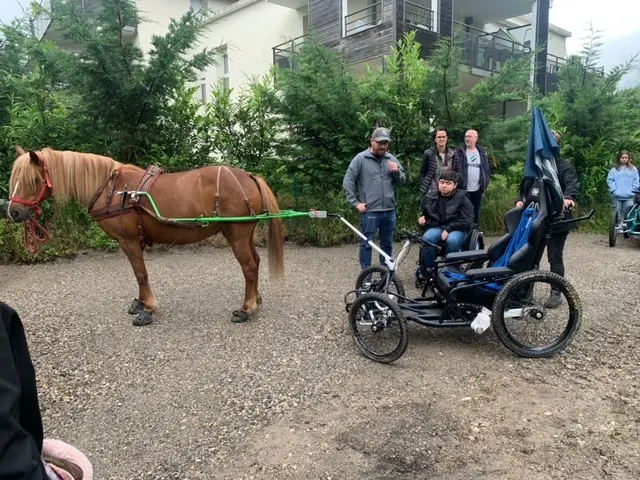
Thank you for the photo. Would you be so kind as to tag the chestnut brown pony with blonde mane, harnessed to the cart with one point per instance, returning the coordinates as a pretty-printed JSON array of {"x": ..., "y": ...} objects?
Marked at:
[{"x": 98, "y": 182}]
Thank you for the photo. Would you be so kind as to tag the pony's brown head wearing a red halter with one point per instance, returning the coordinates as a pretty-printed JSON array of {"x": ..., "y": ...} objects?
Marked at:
[{"x": 29, "y": 185}]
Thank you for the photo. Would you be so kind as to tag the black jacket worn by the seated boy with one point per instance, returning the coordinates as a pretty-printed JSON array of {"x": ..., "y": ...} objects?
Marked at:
[{"x": 458, "y": 211}]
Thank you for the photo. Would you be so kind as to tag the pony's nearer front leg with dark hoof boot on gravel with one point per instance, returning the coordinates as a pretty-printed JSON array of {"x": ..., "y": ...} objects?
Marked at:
[{"x": 145, "y": 305}]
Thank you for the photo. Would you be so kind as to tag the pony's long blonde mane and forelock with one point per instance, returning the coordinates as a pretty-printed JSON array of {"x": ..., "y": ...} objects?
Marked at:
[{"x": 74, "y": 175}]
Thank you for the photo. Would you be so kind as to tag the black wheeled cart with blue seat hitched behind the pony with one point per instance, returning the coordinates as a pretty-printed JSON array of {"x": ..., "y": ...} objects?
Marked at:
[{"x": 477, "y": 298}]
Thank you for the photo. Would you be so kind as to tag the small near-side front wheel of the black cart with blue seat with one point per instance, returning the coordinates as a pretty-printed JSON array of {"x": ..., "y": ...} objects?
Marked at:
[{"x": 374, "y": 318}]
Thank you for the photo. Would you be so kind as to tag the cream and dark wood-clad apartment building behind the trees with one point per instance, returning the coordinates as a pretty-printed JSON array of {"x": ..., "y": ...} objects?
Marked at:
[{"x": 256, "y": 34}]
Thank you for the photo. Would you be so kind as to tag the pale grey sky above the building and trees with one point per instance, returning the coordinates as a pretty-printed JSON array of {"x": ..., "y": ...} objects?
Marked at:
[{"x": 617, "y": 18}]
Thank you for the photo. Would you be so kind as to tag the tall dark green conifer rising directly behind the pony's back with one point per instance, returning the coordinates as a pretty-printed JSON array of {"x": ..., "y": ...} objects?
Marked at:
[{"x": 122, "y": 94}]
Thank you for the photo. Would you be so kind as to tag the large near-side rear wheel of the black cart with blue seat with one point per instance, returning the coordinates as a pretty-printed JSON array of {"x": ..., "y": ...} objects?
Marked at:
[{"x": 530, "y": 303}]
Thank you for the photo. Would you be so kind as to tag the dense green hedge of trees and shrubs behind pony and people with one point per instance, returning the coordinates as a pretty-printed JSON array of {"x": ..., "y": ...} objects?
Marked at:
[{"x": 299, "y": 128}]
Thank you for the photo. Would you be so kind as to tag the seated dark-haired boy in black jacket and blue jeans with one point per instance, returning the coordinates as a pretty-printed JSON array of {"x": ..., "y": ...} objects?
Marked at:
[{"x": 448, "y": 218}]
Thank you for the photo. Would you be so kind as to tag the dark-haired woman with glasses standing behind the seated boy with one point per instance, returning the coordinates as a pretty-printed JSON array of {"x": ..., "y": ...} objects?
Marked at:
[{"x": 437, "y": 159}]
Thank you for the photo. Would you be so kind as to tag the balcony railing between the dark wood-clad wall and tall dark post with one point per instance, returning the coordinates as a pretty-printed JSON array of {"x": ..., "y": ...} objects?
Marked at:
[{"x": 487, "y": 51}]
